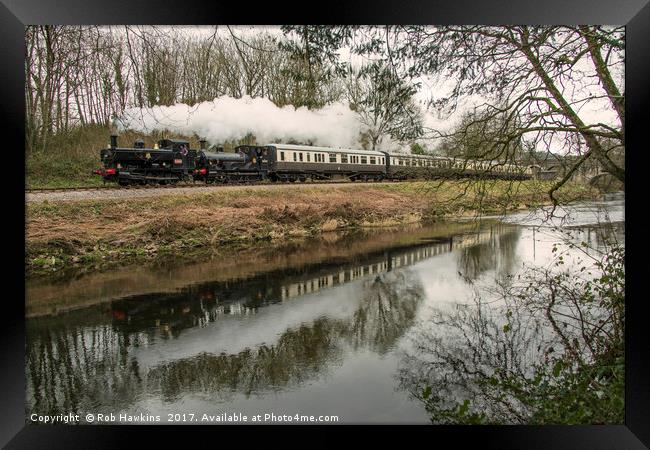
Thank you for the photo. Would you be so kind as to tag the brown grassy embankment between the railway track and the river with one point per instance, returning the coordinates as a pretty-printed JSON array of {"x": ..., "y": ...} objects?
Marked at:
[{"x": 97, "y": 233}]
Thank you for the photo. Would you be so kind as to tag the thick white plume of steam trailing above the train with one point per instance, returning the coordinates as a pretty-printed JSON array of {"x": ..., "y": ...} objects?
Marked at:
[{"x": 226, "y": 118}]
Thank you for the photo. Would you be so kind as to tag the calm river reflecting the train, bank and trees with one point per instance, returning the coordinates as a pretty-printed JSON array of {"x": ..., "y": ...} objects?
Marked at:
[{"x": 327, "y": 327}]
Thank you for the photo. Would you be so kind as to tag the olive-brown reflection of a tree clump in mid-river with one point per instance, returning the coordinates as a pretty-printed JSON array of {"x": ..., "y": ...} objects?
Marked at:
[{"x": 387, "y": 309}]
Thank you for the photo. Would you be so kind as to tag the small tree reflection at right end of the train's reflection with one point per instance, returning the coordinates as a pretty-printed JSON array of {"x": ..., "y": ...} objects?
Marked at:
[{"x": 499, "y": 254}]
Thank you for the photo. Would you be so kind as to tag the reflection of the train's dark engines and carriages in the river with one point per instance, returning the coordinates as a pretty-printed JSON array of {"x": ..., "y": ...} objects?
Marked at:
[{"x": 199, "y": 304}]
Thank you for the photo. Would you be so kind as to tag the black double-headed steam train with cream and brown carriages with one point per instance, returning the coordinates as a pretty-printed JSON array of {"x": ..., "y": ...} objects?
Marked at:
[{"x": 171, "y": 161}]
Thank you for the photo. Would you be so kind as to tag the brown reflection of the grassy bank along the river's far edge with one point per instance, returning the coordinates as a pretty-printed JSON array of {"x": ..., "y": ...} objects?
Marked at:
[{"x": 66, "y": 292}]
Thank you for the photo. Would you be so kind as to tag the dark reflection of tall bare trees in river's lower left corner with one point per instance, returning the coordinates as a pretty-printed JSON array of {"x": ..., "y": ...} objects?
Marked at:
[{"x": 73, "y": 370}]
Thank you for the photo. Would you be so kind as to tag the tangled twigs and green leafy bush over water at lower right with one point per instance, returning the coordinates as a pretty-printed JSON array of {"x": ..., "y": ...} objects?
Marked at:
[{"x": 551, "y": 350}]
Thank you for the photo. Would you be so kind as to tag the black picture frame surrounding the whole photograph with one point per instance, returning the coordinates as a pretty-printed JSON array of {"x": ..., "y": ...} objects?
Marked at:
[{"x": 15, "y": 14}]
